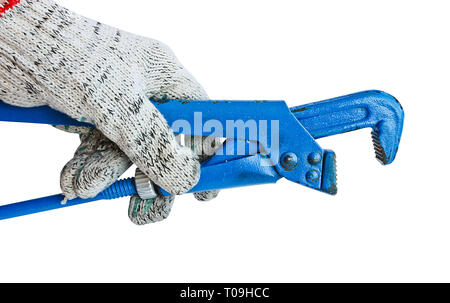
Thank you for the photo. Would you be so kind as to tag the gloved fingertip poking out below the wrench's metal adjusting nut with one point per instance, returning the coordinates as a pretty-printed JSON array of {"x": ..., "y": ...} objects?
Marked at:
[{"x": 143, "y": 212}]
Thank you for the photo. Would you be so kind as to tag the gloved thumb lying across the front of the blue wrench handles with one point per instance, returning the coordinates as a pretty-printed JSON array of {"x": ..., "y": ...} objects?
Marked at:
[{"x": 145, "y": 136}]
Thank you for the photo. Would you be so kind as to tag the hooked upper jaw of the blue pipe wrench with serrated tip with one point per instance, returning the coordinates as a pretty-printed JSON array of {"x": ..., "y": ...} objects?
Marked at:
[{"x": 370, "y": 109}]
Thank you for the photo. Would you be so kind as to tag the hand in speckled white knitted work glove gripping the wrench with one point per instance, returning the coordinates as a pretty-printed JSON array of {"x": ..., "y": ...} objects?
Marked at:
[{"x": 96, "y": 73}]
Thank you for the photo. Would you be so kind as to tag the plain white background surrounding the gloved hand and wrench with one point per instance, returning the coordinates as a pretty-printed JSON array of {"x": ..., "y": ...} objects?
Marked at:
[{"x": 387, "y": 224}]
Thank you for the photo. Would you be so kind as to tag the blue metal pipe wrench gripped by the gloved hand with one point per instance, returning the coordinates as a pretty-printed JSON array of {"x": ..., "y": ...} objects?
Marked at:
[{"x": 298, "y": 157}]
